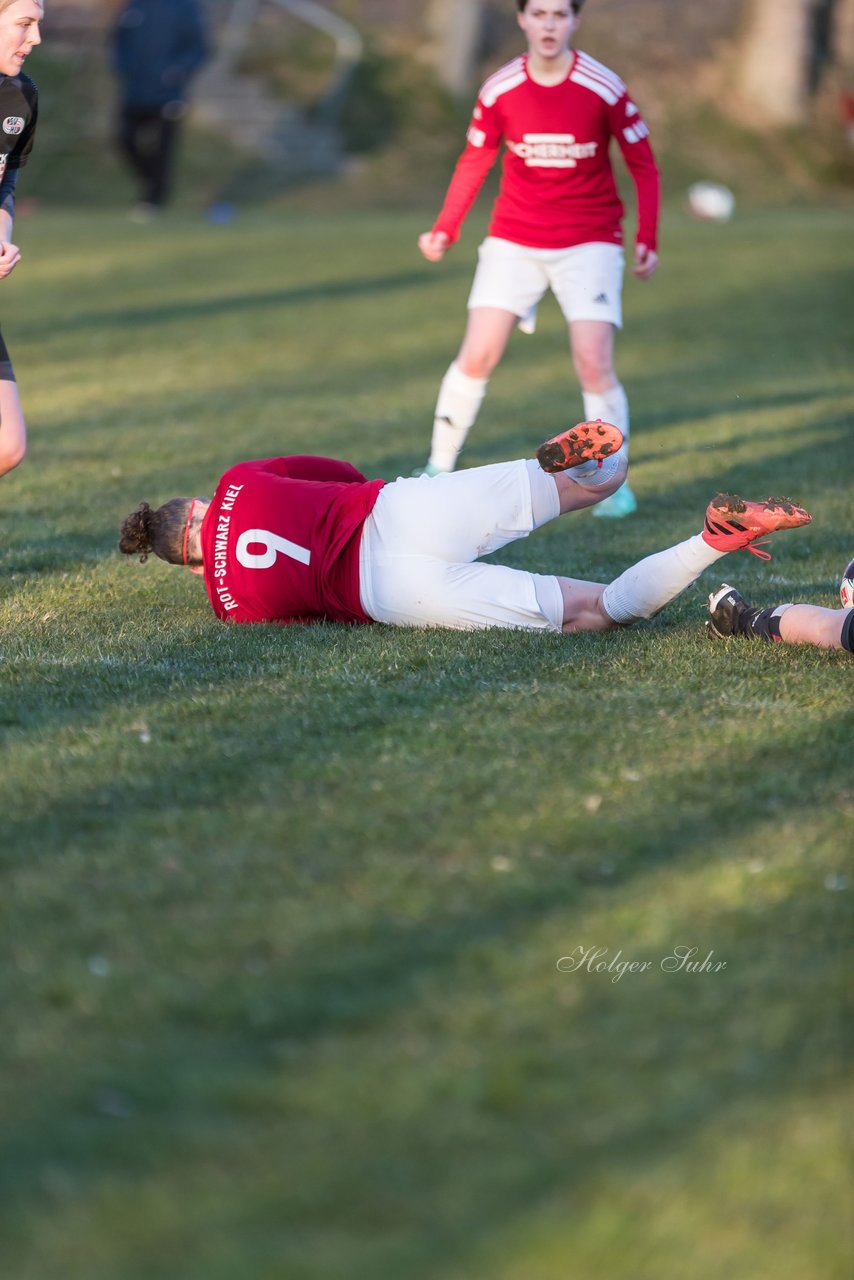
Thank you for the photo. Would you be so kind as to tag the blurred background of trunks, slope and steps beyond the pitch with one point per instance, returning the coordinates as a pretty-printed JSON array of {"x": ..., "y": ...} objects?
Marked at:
[{"x": 367, "y": 102}]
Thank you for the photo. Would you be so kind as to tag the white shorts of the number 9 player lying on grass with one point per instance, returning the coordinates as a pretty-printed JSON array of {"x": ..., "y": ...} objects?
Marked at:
[{"x": 421, "y": 547}]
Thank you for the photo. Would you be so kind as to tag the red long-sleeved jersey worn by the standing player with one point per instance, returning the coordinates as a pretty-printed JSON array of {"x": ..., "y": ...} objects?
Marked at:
[{"x": 558, "y": 185}]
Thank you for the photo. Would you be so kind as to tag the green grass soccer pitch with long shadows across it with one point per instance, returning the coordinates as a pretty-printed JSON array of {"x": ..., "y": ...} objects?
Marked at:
[{"x": 284, "y": 908}]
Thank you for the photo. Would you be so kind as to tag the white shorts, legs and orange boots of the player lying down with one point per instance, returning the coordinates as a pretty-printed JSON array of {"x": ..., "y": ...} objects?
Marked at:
[{"x": 424, "y": 538}]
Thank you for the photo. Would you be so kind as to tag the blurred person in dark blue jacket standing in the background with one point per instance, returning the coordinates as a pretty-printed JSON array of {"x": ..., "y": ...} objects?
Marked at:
[{"x": 158, "y": 47}]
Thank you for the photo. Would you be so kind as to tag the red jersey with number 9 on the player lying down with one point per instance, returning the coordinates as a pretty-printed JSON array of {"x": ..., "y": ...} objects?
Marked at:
[{"x": 281, "y": 541}]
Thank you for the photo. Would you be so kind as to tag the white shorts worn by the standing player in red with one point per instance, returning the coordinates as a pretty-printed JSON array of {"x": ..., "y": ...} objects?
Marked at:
[{"x": 586, "y": 280}]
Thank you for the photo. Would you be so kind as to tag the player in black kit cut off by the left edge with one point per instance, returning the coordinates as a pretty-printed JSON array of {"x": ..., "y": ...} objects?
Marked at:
[{"x": 20, "y": 34}]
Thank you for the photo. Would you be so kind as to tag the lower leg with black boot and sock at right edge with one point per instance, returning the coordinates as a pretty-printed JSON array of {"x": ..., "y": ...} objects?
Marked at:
[{"x": 730, "y": 615}]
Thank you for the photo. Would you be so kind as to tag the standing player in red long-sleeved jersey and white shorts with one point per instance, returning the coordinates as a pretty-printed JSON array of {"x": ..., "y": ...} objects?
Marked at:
[{"x": 556, "y": 223}]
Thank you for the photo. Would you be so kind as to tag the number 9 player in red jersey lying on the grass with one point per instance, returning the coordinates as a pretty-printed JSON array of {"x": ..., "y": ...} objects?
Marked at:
[{"x": 304, "y": 538}]
